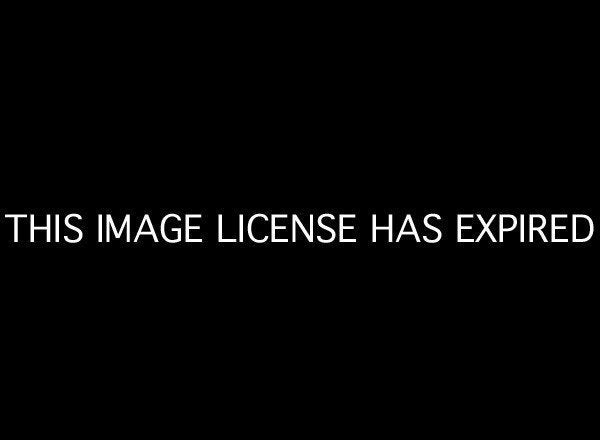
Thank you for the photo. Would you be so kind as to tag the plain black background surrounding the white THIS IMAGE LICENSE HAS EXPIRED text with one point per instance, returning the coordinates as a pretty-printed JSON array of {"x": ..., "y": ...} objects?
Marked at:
[{"x": 368, "y": 113}]
